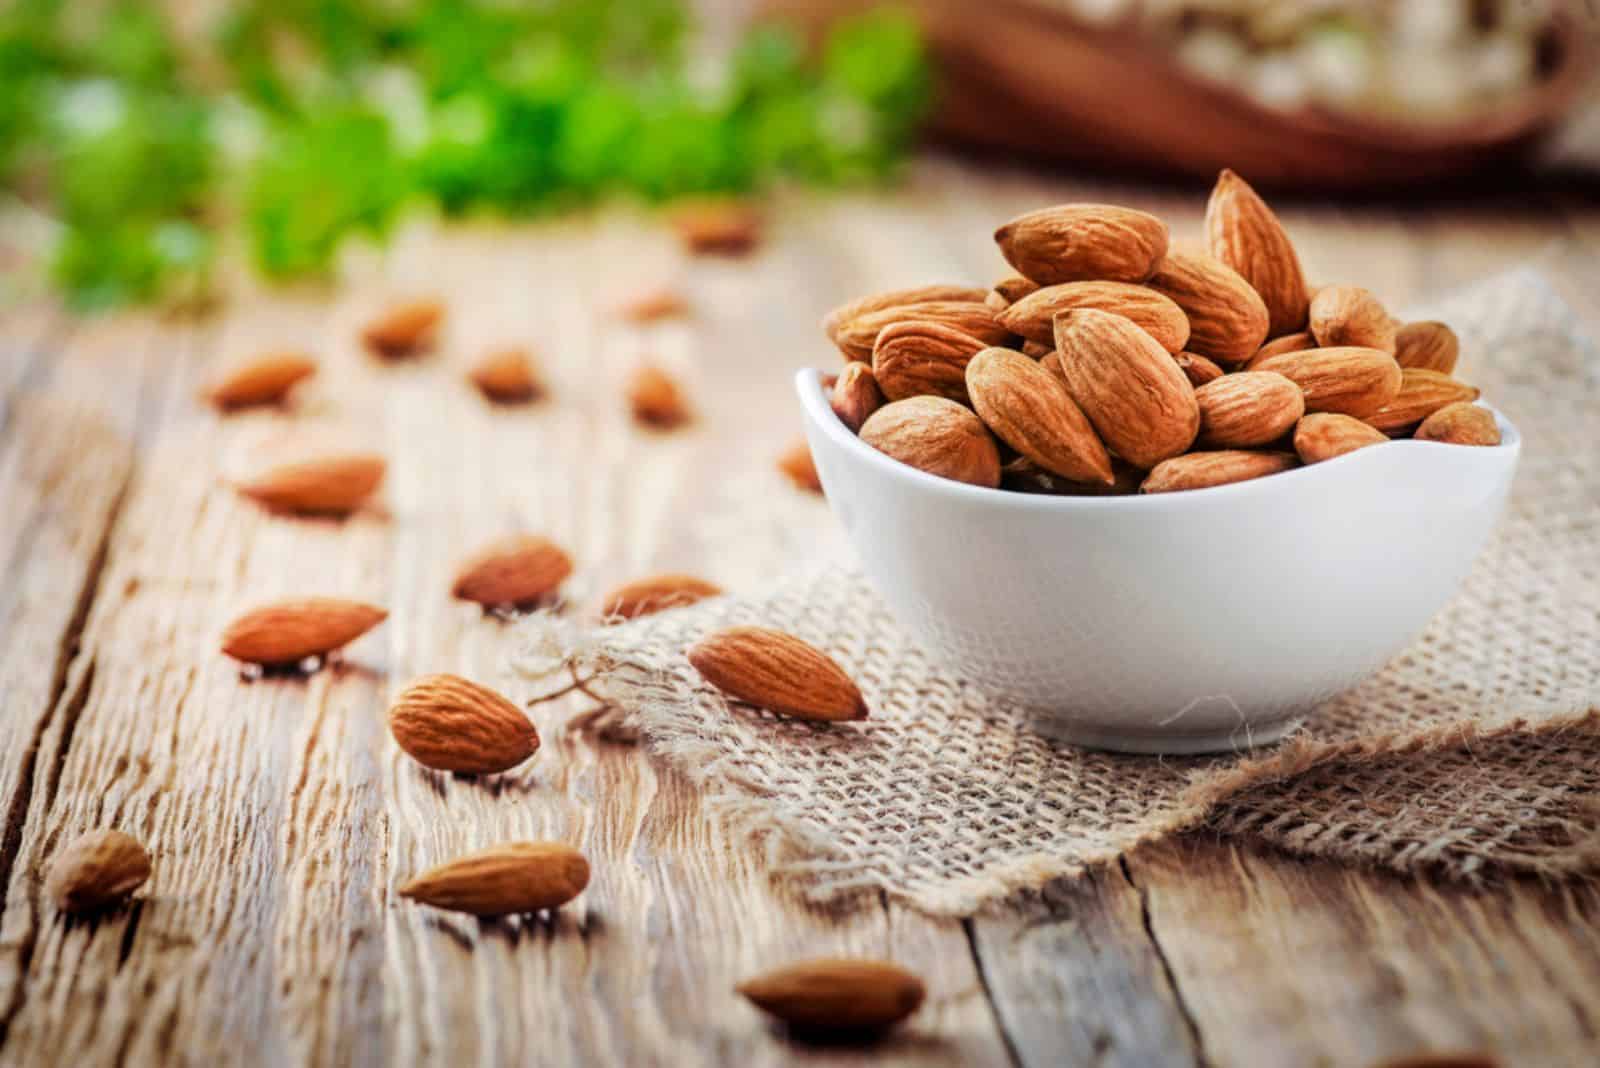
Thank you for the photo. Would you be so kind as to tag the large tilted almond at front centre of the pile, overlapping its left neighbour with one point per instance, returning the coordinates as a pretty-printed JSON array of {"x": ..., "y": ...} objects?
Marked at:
[{"x": 1132, "y": 389}]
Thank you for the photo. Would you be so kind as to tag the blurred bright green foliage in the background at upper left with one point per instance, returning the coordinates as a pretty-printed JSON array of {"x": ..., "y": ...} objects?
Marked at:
[{"x": 308, "y": 121}]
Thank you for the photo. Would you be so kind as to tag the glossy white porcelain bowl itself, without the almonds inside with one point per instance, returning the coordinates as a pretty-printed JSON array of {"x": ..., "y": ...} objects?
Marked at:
[{"x": 1185, "y": 623}]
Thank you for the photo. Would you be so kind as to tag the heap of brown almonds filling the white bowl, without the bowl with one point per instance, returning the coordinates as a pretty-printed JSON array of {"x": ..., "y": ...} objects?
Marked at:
[{"x": 1113, "y": 364}]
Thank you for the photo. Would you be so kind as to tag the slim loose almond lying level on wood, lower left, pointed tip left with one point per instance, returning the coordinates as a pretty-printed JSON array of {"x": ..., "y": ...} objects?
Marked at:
[{"x": 505, "y": 880}]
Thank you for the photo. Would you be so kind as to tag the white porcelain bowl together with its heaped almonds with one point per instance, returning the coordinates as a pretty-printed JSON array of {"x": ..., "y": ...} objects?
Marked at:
[{"x": 1166, "y": 501}]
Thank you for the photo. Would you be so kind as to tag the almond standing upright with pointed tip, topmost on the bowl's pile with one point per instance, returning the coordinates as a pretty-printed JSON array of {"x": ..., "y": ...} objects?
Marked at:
[{"x": 1244, "y": 234}]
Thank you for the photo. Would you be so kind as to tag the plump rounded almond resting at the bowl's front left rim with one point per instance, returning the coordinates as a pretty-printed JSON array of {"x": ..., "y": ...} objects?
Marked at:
[{"x": 937, "y": 436}]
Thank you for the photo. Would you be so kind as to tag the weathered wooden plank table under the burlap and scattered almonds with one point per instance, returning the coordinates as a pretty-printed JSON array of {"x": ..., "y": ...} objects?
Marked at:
[{"x": 282, "y": 818}]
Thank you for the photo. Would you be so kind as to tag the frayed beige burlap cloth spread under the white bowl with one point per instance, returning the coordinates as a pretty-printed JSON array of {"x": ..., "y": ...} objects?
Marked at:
[{"x": 1476, "y": 752}]
